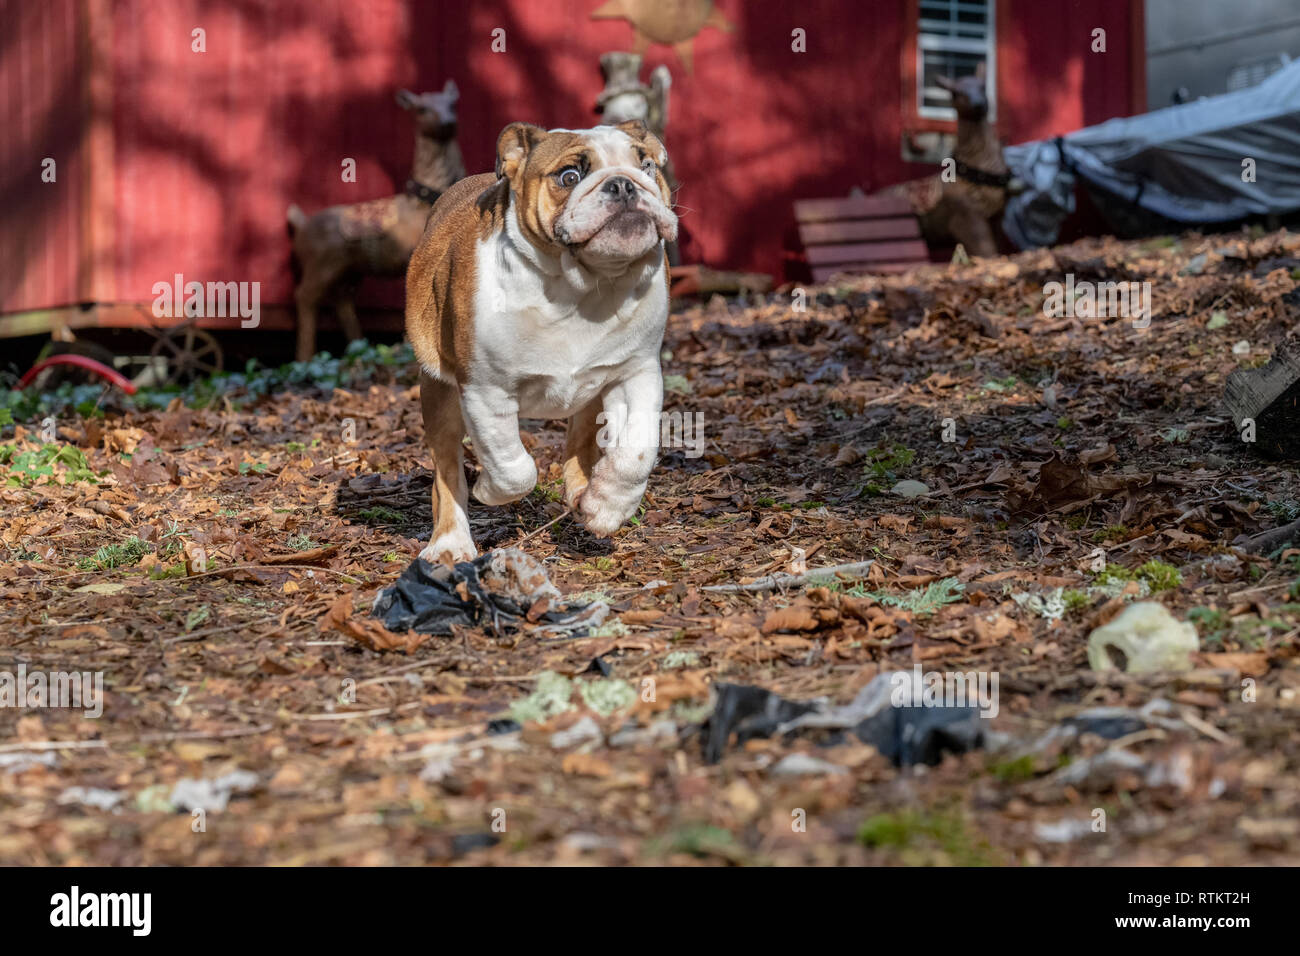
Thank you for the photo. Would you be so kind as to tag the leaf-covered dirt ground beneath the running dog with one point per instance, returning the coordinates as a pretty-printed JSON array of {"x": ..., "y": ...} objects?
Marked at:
[{"x": 1043, "y": 445}]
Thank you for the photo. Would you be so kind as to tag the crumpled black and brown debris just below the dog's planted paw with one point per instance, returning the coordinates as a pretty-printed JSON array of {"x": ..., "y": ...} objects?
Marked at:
[{"x": 496, "y": 591}]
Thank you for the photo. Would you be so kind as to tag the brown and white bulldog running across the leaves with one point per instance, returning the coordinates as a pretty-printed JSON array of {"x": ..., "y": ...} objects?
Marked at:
[{"x": 543, "y": 292}]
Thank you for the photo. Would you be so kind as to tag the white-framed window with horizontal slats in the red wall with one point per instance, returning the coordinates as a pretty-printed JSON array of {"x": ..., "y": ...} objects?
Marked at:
[{"x": 954, "y": 38}]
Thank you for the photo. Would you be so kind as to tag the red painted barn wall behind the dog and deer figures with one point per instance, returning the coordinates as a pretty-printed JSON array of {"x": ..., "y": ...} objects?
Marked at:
[{"x": 207, "y": 150}]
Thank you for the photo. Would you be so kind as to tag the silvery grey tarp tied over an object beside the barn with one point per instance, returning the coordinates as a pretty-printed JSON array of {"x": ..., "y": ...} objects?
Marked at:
[{"x": 1184, "y": 163}]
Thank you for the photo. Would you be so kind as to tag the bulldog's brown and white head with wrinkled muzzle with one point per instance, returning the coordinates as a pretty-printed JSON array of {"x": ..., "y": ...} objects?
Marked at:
[{"x": 599, "y": 193}]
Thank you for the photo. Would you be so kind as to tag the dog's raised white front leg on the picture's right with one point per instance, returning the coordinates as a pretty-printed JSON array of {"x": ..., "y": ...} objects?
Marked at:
[{"x": 630, "y": 440}]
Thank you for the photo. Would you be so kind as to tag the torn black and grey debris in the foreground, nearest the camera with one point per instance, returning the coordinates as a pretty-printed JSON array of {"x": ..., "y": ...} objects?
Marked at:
[{"x": 905, "y": 733}]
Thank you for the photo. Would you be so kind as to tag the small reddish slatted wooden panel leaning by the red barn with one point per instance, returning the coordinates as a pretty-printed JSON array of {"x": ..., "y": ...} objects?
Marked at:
[{"x": 860, "y": 235}]
